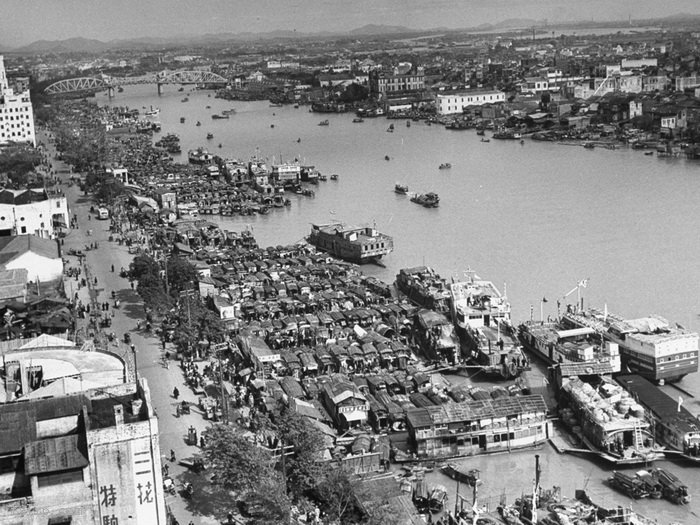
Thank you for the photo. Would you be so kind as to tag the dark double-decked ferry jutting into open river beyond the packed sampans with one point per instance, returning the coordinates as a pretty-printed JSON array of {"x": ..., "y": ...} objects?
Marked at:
[{"x": 354, "y": 244}]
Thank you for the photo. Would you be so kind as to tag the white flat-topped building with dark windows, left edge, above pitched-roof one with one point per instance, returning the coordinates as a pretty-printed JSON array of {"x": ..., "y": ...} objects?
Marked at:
[{"x": 34, "y": 212}]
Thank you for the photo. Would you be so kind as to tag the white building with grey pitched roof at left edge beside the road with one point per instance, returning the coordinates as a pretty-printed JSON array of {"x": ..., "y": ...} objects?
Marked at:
[{"x": 40, "y": 257}]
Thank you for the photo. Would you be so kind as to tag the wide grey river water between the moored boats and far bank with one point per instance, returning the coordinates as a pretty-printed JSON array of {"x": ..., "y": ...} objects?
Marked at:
[{"x": 538, "y": 217}]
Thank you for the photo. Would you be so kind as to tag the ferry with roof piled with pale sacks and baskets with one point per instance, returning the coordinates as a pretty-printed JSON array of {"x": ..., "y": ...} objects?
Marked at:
[{"x": 611, "y": 423}]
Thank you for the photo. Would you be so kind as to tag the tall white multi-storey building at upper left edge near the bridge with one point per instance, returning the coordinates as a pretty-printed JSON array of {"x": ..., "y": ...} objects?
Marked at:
[{"x": 16, "y": 114}]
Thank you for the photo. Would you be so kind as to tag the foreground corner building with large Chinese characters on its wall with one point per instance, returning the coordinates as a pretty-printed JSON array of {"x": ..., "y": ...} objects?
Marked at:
[{"x": 86, "y": 458}]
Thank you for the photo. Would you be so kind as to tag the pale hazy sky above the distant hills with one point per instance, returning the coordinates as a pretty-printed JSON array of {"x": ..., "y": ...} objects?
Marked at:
[{"x": 24, "y": 21}]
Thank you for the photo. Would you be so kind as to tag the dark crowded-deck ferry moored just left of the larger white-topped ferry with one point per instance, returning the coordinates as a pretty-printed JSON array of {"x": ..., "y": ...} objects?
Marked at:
[{"x": 424, "y": 287}]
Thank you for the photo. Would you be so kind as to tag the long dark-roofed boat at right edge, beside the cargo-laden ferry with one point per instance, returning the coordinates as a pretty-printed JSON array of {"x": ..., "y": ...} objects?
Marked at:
[{"x": 676, "y": 427}]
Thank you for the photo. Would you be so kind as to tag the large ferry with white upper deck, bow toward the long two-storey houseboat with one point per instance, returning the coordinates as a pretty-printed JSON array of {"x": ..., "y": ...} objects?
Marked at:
[{"x": 482, "y": 318}]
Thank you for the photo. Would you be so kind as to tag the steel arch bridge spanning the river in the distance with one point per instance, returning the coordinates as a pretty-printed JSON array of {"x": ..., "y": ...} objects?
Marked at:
[{"x": 76, "y": 85}]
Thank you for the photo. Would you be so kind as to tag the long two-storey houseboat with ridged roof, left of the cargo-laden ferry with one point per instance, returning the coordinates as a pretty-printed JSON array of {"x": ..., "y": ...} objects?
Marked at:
[{"x": 477, "y": 427}]
